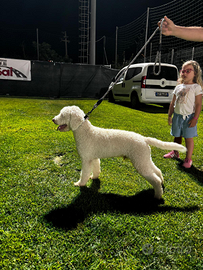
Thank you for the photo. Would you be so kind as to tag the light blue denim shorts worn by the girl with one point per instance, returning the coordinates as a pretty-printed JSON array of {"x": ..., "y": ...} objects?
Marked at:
[{"x": 180, "y": 127}]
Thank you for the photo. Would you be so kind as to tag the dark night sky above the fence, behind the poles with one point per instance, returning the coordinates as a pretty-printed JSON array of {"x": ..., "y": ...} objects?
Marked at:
[{"x": 19, "y": 20}]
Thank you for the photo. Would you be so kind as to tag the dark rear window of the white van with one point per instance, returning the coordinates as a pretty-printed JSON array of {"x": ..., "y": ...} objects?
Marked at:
[{"x": 169, "y": 73}]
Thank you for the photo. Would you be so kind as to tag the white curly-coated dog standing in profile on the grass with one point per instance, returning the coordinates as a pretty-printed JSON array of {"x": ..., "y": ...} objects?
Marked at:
[{"x": 94, "y": 143}]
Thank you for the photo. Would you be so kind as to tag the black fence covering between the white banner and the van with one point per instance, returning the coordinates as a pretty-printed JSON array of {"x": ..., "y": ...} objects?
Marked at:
[{"x": 61, "y": 80}]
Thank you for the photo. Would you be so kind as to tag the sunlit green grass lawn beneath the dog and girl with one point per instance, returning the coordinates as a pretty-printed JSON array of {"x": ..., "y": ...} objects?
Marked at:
[{"x": 47, "y": 223}]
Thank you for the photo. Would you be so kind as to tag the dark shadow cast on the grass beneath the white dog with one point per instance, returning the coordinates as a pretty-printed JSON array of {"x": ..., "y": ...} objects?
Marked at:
[{"x": 90, "y": 201}]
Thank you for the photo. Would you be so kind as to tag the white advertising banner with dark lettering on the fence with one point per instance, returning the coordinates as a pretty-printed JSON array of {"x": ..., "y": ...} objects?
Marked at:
[{"x": 14, "y": 69}]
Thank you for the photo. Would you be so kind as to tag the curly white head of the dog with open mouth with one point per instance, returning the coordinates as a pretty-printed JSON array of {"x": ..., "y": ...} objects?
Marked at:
[{"x": 69, "y": 118}]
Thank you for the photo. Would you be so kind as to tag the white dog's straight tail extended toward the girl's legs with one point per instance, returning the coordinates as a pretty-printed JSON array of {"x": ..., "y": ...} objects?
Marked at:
[{"x": 165, "y": 145}]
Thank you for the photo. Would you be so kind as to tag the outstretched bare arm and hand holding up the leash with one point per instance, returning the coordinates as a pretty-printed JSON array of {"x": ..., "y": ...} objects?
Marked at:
[{"x": 193, "y": 33}]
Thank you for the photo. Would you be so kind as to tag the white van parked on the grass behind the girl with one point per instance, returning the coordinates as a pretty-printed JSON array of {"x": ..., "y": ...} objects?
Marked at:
[{"x": 140, "y": 84}]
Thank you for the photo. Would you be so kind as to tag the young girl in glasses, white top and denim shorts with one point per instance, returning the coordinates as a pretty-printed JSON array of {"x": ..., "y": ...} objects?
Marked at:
[{"x": 186, "y": 106}]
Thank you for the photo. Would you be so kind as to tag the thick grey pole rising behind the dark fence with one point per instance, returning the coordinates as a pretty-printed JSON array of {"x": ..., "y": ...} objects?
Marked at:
[{"x": 93, "y": 32}]
